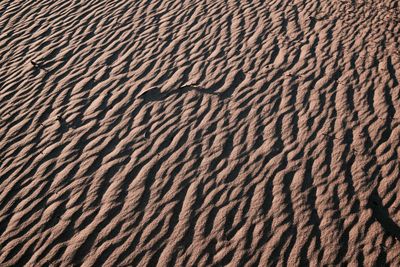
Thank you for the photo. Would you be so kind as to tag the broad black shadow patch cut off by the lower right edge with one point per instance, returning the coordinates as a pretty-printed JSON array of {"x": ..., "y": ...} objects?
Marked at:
[{"x": 382, "y": 216}]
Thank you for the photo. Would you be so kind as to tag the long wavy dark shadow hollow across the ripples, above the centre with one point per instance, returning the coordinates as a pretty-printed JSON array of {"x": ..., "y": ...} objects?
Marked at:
[{"x": 155, "y": 94}]
